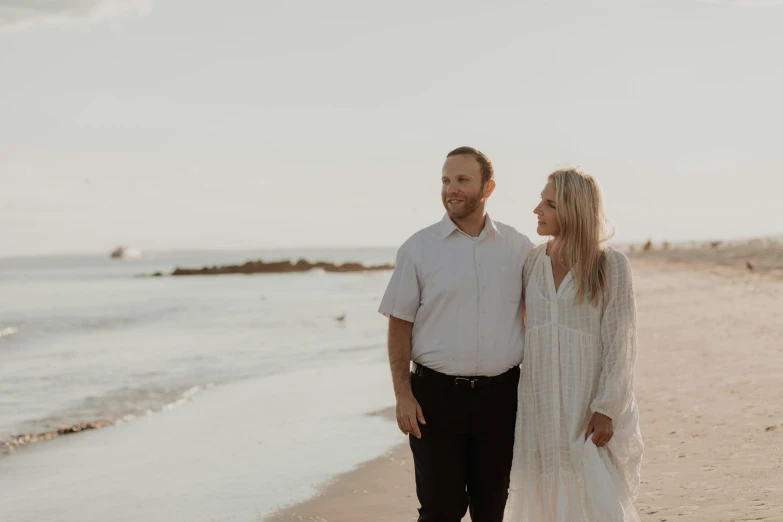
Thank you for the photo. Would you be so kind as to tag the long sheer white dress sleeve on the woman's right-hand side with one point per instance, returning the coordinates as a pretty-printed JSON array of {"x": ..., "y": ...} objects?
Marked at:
[{"x": 618, "y": 340}]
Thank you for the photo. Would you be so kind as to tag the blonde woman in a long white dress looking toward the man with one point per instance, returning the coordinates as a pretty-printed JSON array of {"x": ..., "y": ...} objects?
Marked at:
[{"x": 578, "y": 447}]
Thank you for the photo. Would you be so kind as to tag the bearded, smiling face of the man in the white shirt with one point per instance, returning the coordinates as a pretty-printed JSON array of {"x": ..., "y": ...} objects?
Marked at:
[{"x": 462, "y": 191}]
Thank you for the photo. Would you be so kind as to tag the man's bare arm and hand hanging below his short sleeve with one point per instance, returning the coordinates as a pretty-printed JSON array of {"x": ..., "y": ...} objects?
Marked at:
[{"x": 409, "y": 412}]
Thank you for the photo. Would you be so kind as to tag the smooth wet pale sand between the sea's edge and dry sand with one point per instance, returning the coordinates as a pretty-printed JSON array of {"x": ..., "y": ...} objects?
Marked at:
[{"x": 234, "y": 453}]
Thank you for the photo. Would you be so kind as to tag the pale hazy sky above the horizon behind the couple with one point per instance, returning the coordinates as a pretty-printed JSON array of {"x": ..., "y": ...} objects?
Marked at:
[{"x": 174, "y": 124}]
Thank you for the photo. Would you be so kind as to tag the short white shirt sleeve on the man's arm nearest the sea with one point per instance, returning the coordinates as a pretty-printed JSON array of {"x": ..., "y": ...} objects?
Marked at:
[{"x": 403, "y": 294}]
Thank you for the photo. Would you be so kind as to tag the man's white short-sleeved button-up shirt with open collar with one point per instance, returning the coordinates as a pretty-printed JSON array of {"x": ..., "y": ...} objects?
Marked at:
[{"x": 462, "y": 295}]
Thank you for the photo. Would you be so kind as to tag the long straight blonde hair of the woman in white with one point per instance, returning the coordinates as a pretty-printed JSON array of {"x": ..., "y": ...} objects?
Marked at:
[{"x": 581, "y": 244}]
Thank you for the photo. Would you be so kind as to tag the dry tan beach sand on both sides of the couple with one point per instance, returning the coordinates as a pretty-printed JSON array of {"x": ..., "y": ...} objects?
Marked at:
[{"x": 709, "y": 386}]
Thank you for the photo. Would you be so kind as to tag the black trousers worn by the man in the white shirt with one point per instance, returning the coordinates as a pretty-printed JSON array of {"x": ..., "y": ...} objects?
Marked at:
[{"x": 463, "y": 459}]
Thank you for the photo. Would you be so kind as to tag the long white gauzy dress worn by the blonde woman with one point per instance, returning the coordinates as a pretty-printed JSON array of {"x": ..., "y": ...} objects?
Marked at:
[{"x": 578, "y": 359}]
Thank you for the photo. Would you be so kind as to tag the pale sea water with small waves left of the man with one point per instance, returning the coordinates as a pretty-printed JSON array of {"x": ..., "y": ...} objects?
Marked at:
[{"x": 82, "y": 339}]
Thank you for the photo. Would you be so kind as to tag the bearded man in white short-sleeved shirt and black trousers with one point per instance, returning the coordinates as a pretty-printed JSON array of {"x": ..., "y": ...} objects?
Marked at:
[{"x": 454, "y": 310}]
